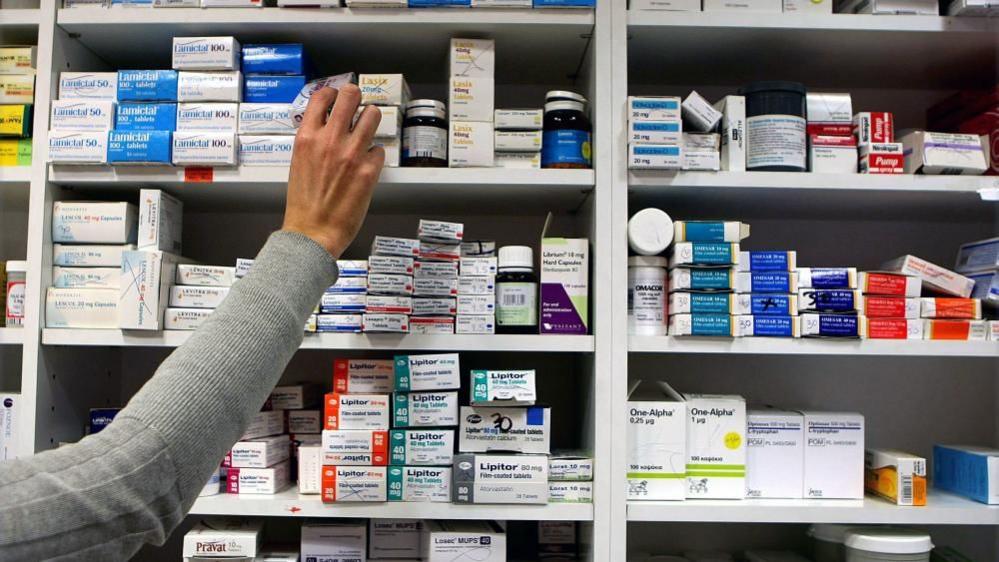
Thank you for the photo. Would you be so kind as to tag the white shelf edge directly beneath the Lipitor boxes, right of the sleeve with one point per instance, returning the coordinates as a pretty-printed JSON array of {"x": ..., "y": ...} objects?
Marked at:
[{"x": 291, "y": 504}]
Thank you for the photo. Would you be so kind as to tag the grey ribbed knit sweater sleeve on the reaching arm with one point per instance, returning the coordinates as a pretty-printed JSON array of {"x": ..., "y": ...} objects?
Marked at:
[{"x": 133, "y": 483}]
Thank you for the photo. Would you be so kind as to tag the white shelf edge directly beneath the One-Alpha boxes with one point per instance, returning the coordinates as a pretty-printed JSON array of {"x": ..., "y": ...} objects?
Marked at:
[{"x": 941, "y": 509}]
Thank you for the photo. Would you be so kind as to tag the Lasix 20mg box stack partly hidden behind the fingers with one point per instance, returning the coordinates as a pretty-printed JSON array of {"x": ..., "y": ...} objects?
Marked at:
[{"x": 390, "y": 93}]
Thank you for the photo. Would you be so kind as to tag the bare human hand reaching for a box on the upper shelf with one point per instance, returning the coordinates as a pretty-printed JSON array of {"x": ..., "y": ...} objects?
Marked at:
[{"x": 333, "y": 169}]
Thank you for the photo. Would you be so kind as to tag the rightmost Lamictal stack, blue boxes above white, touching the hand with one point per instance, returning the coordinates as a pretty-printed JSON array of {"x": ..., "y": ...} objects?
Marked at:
[{"x": 273, "y": 76}]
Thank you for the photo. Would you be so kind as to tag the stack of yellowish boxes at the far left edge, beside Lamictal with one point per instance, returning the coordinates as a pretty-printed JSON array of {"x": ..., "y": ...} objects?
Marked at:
[{"x": 17, "y": 95}]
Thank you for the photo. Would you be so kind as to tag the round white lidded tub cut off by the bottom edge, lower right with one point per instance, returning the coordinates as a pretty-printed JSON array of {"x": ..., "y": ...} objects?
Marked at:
[{"x": 887, "y": 544}]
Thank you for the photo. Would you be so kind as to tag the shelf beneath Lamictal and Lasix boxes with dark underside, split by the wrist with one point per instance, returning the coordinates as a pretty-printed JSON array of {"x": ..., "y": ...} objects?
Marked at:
[{"x": 468, "y": 190}]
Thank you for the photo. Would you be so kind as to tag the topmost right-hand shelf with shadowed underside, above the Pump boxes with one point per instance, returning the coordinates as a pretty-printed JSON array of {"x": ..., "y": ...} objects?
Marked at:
[{"x": 925, "y": 50}]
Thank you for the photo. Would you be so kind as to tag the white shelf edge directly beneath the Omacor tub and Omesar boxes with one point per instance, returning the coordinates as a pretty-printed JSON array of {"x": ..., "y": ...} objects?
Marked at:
[{"x": 804, "y": 346}]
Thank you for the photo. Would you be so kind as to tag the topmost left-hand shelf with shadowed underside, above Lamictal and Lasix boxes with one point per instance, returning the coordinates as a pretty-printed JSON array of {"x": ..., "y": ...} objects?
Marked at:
[{"x": 411, "y": 41}]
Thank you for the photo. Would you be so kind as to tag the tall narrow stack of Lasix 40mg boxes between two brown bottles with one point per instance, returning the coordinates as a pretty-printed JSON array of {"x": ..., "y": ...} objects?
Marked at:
[{"x": 471, "y": 101}]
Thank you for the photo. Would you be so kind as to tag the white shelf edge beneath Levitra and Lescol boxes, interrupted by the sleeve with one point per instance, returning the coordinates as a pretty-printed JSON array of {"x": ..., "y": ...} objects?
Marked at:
[{"x": 526, "y": 343}]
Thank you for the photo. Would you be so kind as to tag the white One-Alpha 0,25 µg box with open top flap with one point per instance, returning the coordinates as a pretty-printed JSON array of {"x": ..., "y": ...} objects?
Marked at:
[{"x": 657, "y": 442}]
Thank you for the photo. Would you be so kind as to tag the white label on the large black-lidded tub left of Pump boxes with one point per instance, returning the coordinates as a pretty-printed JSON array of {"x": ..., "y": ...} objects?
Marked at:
[{"x": 775, "y": 140}]
